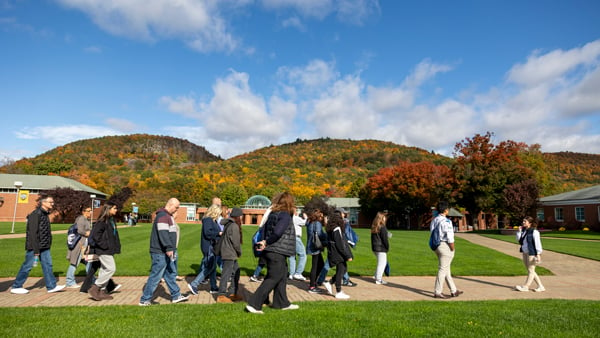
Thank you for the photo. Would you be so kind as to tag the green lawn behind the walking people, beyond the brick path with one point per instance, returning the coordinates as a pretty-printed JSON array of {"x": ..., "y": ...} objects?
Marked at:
[{"x": 409, "y": 255}]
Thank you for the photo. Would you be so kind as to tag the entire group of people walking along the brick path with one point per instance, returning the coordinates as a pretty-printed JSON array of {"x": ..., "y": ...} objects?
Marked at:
[{"x": 221, "y": 240}]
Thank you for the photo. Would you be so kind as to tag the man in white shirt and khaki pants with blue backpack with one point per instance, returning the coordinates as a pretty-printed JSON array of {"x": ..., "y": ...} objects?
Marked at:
[{"x": 445, "y": 251}]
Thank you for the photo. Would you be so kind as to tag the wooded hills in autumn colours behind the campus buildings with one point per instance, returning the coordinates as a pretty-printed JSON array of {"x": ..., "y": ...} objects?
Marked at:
[{"x": 159, "y": 167}]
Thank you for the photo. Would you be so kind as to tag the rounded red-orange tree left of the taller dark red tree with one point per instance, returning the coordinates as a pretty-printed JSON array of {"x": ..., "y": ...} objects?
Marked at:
[{"x": 409, "y": 187}]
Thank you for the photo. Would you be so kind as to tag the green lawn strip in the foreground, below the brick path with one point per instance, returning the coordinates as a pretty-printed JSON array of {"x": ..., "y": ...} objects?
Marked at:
[{"x": 512, "y": 318}]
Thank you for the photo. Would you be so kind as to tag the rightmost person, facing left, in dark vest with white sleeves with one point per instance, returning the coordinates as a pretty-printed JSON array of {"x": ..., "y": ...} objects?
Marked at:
[{"x": 531, "y": 247}]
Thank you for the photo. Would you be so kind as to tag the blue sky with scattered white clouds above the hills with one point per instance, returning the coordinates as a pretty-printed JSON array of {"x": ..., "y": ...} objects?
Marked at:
[{"x": 234, "y": 76}]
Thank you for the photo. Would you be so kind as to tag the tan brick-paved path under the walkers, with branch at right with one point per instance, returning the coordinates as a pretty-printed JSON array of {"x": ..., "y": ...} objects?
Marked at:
[{"x": 575, "y": 278}]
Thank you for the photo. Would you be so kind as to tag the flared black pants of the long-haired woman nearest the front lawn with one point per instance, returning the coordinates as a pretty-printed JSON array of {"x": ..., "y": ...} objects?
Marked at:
[{"x": 276, "y": 281}]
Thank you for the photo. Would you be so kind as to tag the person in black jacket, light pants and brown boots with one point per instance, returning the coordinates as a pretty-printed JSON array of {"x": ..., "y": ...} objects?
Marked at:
[{"x": 105, "y": 243}]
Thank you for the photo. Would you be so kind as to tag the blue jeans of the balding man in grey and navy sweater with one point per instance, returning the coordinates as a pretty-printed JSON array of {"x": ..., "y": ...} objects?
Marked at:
[{"x": 162, "y": 265}]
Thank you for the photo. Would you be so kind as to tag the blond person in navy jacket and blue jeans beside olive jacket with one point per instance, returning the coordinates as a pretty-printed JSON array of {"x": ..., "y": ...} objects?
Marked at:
[{"x": 211, "y": 232}]
